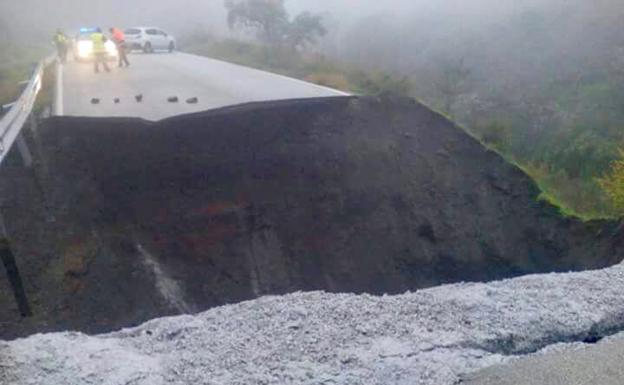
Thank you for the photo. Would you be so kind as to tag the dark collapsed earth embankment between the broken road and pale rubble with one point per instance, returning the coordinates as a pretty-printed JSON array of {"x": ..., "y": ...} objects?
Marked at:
[{"x": 139, "y": 220}]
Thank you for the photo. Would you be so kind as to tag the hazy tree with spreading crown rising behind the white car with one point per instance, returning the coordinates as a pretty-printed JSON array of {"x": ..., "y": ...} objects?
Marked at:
[{"x": 269, "y": 20}]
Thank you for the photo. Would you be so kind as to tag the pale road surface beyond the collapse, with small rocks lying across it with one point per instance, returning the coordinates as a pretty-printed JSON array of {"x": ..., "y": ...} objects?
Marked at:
[{"x": 162, "y": 75}]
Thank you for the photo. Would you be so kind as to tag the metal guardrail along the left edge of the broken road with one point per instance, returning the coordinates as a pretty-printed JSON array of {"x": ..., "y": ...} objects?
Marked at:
[{"x": 13, "y": 121}]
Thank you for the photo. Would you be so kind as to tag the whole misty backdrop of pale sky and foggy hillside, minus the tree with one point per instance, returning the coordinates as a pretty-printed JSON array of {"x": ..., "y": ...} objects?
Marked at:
[{"x": 541, "y": 81}]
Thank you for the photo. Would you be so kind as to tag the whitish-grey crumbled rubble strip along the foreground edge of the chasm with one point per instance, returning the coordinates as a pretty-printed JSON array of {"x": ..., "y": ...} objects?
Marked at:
[{"x": 433, "y": 336}]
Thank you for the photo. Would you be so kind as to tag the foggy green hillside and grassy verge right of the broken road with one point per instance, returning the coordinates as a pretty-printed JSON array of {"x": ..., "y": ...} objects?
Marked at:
[{"x": 547, "y": 93}]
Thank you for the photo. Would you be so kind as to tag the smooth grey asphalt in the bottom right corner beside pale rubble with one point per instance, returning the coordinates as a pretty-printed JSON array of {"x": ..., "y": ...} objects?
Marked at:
[{"x": 602, "y": 364}]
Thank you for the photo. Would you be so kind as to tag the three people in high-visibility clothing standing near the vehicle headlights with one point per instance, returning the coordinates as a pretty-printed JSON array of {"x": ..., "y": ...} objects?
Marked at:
[{"x": 100, "y": 53}]
